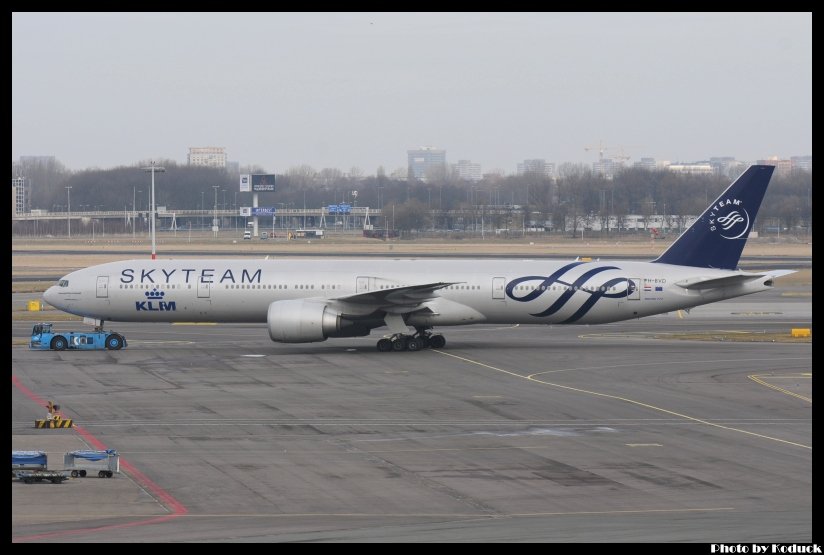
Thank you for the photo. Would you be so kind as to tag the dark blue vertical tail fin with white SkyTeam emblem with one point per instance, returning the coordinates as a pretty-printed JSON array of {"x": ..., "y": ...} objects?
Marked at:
[{"x": 716, "y": 239}]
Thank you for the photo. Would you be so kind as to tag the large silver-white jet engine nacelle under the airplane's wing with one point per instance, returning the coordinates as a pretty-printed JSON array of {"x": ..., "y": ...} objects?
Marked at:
[{"x": 305, "y": 321}]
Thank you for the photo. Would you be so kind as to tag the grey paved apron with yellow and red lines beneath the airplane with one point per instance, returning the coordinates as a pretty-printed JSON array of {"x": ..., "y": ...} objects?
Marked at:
[{"x": 508, "y": 434}]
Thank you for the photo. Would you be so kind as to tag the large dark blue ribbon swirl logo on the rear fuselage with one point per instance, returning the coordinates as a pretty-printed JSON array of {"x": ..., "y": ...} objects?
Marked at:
[{"x": 570, "y": 288}]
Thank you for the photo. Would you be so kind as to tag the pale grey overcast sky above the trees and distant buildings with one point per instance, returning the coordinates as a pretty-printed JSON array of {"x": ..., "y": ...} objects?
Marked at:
[{"x": 359, "y": 89}]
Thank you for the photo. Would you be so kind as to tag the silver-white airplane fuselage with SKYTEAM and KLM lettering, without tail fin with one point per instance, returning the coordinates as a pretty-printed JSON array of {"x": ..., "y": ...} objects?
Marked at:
[{"x": 480, "y": 291}]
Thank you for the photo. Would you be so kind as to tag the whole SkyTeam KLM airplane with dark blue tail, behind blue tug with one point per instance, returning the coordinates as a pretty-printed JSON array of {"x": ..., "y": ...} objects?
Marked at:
[{"x": 304, "y": 301}]
